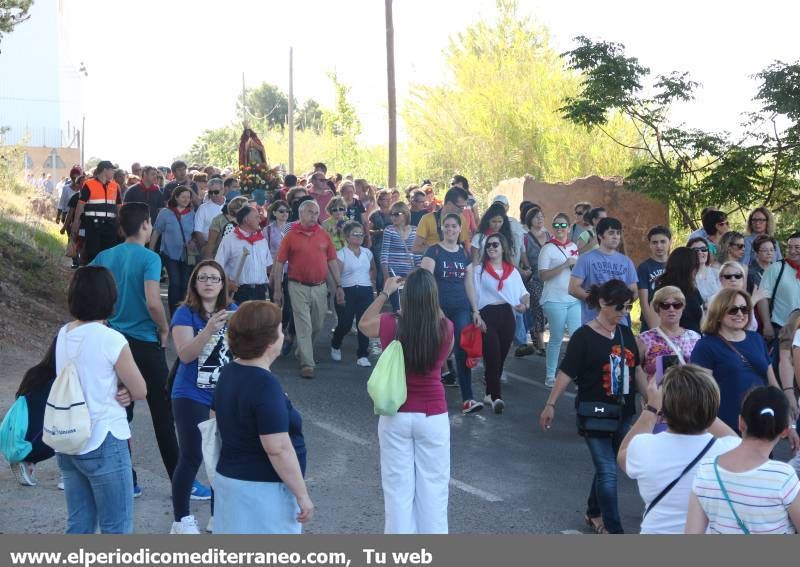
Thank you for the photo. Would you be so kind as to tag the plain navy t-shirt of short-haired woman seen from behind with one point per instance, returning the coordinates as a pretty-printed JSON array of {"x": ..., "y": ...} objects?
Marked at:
[{"x": 250, "y": 402}]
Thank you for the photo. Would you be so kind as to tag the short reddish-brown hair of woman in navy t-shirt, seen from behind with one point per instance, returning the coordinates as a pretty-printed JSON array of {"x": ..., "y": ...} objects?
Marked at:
[{"x": 253, "y": 328}]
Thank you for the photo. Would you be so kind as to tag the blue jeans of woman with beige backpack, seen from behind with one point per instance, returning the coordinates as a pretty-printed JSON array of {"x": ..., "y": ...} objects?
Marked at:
[{"x": 99, "y": 489}]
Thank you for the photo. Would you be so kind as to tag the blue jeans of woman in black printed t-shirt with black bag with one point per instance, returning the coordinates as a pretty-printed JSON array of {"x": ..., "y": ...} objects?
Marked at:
[{"x": 603, "y": 492}]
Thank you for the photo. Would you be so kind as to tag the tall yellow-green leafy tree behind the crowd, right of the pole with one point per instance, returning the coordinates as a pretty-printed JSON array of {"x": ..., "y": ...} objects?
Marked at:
[{"x": 497, "y": 117}]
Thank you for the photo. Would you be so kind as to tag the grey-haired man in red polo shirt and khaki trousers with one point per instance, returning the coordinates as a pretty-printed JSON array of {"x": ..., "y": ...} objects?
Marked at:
[{"x": 311, "y": 254}]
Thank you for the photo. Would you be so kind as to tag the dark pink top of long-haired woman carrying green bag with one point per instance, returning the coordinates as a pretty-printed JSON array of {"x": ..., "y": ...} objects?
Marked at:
[{"x": 425, "y": 391}]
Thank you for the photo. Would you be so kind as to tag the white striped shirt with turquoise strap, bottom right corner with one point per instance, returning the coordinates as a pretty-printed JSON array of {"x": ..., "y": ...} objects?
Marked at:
[{"x": 761, "y": 497}]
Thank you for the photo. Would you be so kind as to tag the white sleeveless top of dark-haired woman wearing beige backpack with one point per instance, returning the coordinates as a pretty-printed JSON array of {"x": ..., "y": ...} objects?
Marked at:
[{"x": 95, "y": 349}]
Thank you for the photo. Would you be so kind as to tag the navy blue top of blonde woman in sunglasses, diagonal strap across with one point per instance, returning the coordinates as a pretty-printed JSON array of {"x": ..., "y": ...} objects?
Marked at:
[{"x": 734, "y": 376}]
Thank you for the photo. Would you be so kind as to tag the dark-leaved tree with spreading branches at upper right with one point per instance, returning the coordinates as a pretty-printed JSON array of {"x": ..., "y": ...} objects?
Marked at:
[{"x": 689, "y": 168}]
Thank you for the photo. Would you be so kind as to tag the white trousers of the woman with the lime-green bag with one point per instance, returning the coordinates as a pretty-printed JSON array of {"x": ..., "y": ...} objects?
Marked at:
[{"x": 415, "y": 472}]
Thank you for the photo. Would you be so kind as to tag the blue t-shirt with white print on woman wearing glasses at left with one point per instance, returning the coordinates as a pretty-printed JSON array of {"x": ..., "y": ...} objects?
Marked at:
[{"x": 196, "y": 381}]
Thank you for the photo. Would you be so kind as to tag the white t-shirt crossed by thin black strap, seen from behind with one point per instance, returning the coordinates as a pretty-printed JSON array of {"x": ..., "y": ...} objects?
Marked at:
[{"x": 655, "y": 460}]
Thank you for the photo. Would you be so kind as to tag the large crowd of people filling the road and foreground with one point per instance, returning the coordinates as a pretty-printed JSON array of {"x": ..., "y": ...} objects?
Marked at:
[{"x": 699, "y": 396}]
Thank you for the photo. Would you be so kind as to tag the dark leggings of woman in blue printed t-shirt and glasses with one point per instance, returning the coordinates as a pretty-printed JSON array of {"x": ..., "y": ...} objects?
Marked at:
[{"x": 188, "y": 414}]
